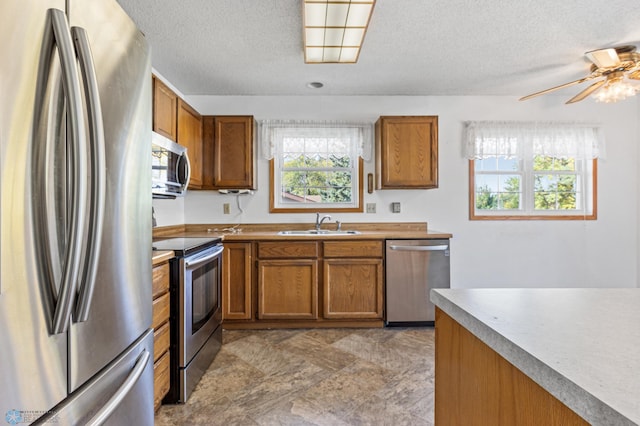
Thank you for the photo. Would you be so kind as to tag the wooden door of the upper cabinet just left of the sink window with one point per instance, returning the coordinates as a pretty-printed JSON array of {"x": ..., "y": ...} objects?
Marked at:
[{"x": 233, "y": 152}]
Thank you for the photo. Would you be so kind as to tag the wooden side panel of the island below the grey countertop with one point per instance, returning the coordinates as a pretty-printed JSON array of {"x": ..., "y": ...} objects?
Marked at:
[{"x": 474, "y": 385}]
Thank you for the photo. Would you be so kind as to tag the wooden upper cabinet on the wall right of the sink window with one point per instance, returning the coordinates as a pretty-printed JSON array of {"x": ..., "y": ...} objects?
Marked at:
[{"x": 407, "y": 152}]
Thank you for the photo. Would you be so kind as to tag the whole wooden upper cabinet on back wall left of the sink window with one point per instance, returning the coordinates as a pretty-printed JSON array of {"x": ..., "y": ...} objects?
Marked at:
[{"x": 228, "y": 151}]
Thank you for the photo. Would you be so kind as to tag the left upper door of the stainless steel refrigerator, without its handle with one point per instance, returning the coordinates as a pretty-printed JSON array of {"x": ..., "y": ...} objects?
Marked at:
[{"x": 33, "y": 362}]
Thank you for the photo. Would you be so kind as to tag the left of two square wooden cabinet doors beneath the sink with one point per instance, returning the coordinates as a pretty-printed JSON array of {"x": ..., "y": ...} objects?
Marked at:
[{"x": 288, "y": 289}]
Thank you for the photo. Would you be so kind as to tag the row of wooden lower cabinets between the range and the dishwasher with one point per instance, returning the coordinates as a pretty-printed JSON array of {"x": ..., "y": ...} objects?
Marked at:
[{"x": 311, "y": 283}]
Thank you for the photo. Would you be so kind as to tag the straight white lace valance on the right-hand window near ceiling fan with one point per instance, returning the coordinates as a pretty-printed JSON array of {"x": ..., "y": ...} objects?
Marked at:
[{"x": 485, "y": 139}]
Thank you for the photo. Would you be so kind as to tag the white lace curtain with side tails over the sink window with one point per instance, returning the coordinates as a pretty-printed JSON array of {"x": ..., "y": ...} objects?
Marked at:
[{"x": 273, "y": 131}]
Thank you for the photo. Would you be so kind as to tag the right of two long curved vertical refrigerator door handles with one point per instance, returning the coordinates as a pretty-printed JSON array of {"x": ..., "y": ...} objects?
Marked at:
[{"x": 97, "y": 176}]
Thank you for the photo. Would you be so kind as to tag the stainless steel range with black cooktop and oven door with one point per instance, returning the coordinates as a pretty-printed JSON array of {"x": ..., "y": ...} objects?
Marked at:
[{"x": 196, "y": 310}]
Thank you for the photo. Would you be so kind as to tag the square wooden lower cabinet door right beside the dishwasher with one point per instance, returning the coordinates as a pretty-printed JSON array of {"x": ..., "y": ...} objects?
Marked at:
[{"x": 353, "y": 288}]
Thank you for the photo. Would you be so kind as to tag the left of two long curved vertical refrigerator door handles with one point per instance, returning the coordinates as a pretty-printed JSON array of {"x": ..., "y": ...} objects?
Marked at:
[{"x": 57, "y": 34}]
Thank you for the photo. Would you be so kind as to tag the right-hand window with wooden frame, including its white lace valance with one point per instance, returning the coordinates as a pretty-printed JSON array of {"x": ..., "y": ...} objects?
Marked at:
[{"x": 532, "y": 170}]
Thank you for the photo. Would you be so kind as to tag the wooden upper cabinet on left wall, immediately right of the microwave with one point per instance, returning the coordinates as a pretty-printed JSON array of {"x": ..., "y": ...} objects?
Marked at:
[{"x": 190, "y": 136}]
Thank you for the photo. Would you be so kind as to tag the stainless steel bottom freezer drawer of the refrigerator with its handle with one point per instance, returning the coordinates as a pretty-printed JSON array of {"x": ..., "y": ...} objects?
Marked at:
[{"x": 122, "y": 394}]
